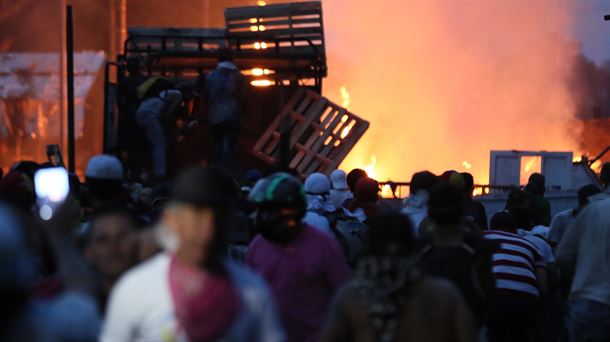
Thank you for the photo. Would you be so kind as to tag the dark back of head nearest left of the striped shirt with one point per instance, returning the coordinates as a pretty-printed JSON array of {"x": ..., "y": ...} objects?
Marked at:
[{"x": 446, "y": 205}]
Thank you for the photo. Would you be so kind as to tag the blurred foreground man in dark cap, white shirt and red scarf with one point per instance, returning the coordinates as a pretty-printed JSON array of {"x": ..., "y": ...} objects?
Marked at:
[{"x": 192, "y": 292}]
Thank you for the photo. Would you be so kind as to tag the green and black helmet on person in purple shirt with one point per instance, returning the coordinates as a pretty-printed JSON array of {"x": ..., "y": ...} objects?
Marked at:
[{"x": 279, "y": 190}]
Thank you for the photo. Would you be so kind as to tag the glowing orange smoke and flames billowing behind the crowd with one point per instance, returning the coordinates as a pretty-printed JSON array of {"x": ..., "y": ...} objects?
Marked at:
[{"x": 446, "y": 82}]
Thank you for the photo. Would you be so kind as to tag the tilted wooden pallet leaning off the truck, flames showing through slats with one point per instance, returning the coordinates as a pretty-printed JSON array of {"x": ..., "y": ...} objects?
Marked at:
[{"x": 321, "y": 134}]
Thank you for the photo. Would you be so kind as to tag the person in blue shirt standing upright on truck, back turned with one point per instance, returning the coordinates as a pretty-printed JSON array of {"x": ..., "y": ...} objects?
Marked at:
[{"x": 224, "y": 95}]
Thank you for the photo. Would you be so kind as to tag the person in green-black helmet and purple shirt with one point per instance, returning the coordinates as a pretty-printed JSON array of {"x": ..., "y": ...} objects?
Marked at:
[{"x": 303, "y": 265}]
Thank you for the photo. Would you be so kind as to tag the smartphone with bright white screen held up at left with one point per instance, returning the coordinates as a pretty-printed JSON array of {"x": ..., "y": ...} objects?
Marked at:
[{"x": 52, "y": 187}]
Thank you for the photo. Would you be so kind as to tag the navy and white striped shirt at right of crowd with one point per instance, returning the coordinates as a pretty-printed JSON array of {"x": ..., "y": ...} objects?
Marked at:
[{"x": 514, "y": 263}]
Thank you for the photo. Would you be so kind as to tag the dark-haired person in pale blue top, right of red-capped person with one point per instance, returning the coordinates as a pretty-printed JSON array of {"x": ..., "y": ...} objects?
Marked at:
[{"x": 415, "y": 207}]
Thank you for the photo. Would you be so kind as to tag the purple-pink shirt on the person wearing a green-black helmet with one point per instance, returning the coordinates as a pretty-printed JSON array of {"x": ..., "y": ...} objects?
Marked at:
[{"x": 303, "y": 277}]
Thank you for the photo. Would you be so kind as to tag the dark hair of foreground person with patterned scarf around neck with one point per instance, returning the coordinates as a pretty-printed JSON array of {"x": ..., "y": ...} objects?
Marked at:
[{"x": 390, "y": 228}]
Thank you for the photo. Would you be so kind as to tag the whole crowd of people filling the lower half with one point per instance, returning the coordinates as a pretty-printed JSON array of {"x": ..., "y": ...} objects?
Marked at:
[{"x": 272, "y": 258}]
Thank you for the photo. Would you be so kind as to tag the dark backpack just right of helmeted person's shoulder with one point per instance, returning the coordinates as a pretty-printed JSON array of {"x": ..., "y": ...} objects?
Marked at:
[{"x": 351, "y": 234}]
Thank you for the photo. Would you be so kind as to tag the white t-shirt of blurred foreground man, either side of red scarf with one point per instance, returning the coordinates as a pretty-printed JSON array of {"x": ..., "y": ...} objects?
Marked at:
[{"x": 141, "y": 307}]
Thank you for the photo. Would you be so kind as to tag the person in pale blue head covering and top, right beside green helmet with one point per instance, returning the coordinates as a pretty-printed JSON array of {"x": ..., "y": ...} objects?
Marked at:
[{"x": 317, "y": 190}]
